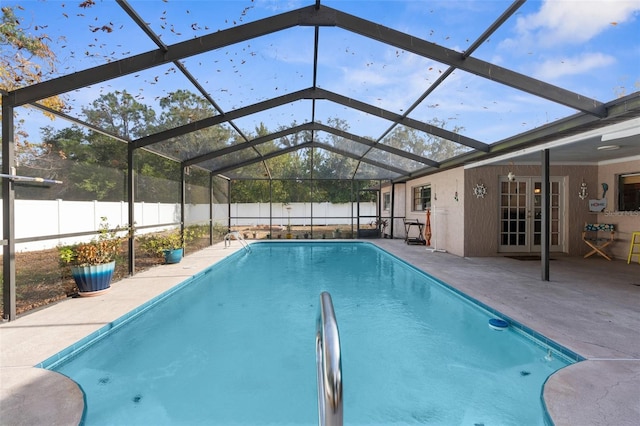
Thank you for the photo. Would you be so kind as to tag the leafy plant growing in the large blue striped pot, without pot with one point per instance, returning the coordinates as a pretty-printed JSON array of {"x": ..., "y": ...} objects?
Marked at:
[{"x": 102, "y": 249}]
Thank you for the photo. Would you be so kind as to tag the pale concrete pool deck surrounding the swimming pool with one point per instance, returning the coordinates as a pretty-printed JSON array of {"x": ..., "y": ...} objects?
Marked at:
[{"x": 590, "y": 306}]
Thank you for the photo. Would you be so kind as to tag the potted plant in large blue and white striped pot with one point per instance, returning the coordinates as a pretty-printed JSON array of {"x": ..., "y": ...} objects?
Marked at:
[{"x": 92, "y": 264}]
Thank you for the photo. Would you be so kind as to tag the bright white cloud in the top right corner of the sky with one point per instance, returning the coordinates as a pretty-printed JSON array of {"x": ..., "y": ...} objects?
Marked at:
[{"x": 574, "y": 22}]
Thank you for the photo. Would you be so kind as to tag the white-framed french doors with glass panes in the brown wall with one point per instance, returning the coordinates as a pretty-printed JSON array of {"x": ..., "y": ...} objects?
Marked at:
[{"x": 521, "y": 215}]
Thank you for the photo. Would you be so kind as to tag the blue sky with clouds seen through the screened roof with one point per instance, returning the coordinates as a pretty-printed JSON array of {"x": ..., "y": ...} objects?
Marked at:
[{"x": 589, "y": 47}]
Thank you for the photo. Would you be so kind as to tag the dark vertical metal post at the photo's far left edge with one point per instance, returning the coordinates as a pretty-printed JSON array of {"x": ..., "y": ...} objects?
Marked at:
[{"x": 8, "y": 211}]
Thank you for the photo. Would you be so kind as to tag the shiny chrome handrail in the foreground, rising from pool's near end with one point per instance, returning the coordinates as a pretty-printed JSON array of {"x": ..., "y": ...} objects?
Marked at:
[{"x": 329, "y": 364}]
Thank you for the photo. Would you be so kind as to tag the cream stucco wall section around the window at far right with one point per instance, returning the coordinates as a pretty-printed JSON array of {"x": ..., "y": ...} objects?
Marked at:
[{"x": 626, "y": 222}]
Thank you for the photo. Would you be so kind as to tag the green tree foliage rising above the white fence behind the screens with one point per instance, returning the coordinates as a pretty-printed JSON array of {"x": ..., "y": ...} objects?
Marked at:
[{"x": 94, "y": 166}]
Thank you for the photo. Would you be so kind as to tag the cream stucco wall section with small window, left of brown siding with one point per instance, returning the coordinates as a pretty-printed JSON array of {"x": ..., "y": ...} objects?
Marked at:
[{"x": 447, "y": 214}]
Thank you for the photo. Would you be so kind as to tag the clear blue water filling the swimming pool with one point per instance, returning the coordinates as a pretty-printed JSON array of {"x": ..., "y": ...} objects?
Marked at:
[{"x": 236, "y": 346}]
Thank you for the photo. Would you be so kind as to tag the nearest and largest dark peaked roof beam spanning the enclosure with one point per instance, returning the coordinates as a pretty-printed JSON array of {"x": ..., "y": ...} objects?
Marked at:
[{"x": 306, "y": 16}]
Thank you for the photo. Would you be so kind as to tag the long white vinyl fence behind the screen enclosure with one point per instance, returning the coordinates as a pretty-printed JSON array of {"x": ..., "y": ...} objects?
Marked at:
[{"x": 38, "y": 218}]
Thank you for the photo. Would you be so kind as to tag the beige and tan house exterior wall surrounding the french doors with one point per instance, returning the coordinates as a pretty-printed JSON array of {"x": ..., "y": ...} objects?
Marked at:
[{"x": 469, "y": 226}]
